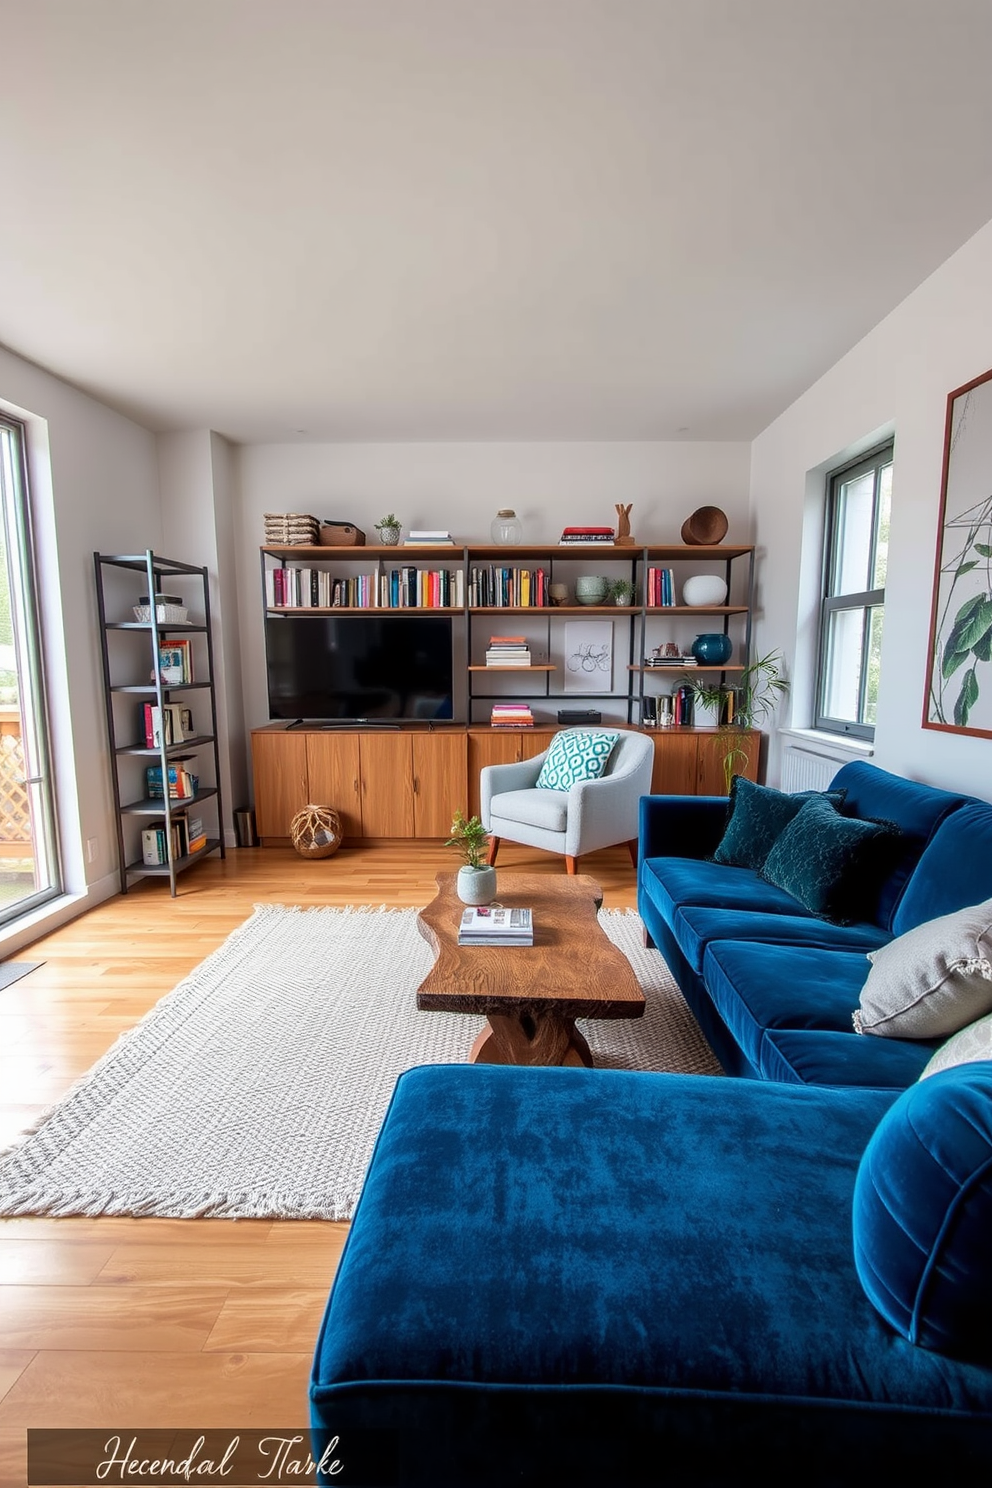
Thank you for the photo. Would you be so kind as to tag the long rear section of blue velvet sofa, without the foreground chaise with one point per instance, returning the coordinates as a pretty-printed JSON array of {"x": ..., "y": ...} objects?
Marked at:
[{"x": 773, "y": 986}]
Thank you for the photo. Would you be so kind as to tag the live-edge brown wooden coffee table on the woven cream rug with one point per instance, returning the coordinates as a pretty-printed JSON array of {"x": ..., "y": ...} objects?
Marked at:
[{"x": 530, "y": 995}]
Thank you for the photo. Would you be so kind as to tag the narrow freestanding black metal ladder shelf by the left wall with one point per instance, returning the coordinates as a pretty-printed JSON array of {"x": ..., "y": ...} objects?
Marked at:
[{"x": 133, "y": 661}]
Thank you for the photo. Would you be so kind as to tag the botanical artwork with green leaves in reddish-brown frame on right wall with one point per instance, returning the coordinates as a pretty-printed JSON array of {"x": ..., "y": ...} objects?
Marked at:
[{"x": 960, "y": 664}]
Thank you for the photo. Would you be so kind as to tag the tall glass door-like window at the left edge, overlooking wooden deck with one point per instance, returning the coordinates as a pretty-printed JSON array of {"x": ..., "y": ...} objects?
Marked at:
[{"x": 29, "y": 850}]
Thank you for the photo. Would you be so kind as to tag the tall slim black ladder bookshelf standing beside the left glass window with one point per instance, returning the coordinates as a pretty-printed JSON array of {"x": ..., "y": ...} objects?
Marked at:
[{"x": 133, "y": 675}]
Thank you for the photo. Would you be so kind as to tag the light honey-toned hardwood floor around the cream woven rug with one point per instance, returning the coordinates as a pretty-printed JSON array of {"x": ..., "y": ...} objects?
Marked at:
[{"x": 144, "y": 1322}]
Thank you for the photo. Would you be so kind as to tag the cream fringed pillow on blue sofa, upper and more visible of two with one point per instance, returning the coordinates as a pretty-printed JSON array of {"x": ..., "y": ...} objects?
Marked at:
[{"x": 932, "y": 981}]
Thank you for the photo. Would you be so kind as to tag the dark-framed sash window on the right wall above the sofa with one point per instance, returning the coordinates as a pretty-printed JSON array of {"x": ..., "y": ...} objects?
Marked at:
[{"x": 859, "y": 504}]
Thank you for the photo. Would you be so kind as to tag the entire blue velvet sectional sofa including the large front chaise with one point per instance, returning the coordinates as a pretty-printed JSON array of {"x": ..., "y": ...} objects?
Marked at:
[{"x": 596, "y": 1277}]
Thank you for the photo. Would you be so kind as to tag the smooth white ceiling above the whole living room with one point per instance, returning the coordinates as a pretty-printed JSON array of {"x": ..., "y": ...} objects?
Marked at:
[{"x": 478, "y": 219}]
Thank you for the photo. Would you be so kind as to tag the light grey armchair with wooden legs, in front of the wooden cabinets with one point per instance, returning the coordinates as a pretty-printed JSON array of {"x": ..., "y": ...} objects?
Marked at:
[{"x": 594, "y": 815}]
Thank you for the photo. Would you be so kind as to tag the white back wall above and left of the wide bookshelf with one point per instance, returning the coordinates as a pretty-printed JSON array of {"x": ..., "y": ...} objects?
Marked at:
[{"x": 462, "y": 487}]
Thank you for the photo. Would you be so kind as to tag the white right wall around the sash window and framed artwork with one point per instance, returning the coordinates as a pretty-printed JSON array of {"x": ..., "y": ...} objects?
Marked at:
[{"x": 895, "y": 382}]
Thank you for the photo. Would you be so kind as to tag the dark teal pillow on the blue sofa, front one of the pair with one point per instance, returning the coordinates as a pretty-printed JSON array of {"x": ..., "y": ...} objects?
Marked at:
[{"x": 831, "y": 864}]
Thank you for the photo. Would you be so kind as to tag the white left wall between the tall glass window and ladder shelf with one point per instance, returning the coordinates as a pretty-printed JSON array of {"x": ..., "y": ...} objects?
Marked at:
[{"x": 94, "y": 484}]
